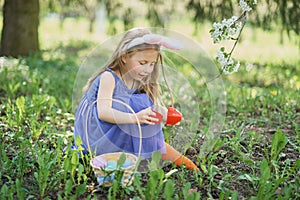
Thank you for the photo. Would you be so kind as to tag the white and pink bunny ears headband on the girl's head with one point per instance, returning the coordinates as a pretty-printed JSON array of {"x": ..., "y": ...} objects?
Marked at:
[{"x": 169, "y": 43}]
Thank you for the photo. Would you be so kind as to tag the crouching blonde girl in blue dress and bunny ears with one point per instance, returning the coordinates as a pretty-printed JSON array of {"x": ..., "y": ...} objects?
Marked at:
[{"x": 130, "y": 76}]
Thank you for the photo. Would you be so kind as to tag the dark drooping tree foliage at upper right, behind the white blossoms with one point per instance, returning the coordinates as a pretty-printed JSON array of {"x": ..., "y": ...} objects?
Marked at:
[{"x": 269, "y": 15}]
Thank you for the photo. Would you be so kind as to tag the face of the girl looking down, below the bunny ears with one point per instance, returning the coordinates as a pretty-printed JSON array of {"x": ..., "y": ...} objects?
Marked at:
[{"x": 140, "y": 64}]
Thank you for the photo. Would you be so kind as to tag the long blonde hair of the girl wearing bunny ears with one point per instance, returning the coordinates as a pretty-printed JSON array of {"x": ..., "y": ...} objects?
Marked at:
[{"x": 150, "y": 85}]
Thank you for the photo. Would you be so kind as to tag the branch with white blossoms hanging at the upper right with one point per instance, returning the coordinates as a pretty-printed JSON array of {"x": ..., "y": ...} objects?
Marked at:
[{"x": 226, "y": 30}]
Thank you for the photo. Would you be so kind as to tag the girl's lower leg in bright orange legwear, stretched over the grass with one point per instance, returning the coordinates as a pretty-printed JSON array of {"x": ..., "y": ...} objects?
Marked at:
[{"x": 177, "y": 158}]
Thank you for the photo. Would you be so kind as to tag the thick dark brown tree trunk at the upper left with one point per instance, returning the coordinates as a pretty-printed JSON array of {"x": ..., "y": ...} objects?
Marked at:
[{"x": 20, "y": 28}]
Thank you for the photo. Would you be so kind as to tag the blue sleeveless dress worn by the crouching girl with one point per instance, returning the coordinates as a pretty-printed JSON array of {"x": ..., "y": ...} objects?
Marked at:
[{"x": 105, "y": 137}]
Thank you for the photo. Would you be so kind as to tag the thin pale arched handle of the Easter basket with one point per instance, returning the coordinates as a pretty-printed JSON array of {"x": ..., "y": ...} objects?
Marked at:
[{"x": 127, "y": 106}]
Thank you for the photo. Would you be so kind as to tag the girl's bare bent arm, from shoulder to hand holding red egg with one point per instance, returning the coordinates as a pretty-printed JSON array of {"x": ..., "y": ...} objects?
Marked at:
[{"x": 111, "y": 115}]
